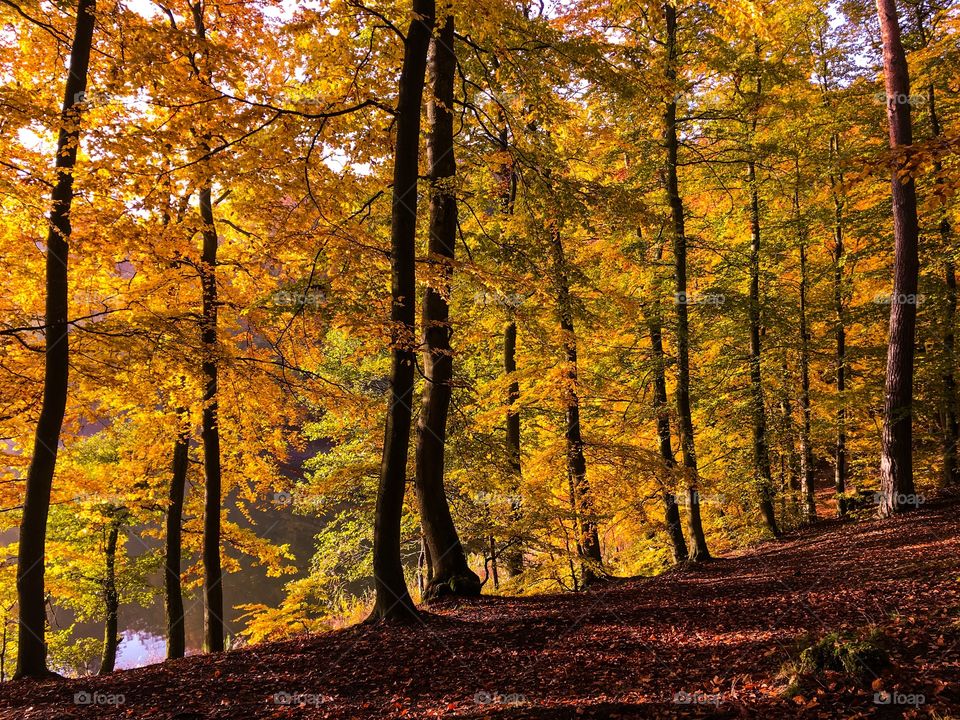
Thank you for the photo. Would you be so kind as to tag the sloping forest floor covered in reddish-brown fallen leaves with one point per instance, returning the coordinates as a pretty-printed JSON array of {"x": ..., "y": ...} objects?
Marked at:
[{"x": 704, "y": 642}]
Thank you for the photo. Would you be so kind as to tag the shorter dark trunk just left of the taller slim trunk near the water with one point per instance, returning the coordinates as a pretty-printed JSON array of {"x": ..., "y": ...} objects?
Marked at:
[{"x": 176, "y": 635}]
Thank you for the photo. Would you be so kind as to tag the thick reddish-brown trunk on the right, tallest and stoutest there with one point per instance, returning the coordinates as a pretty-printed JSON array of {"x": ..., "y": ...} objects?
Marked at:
[{"x": 896, "y": 463}]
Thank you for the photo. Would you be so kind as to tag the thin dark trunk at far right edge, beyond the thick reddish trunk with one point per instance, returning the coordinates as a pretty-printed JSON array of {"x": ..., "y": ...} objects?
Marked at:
[{"x": 951, "y": 426}]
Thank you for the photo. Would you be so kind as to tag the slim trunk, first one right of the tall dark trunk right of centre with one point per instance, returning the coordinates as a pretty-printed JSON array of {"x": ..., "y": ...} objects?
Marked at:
[{"x": 761, "y": 451}]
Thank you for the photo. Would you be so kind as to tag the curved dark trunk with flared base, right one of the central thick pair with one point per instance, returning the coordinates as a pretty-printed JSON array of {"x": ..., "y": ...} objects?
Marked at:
[{"x": 451, "y": 574}]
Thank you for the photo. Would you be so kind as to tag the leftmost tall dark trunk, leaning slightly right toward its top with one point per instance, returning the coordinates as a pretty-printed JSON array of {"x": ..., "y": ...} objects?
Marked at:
[{"x": 31, "y": 647}]
